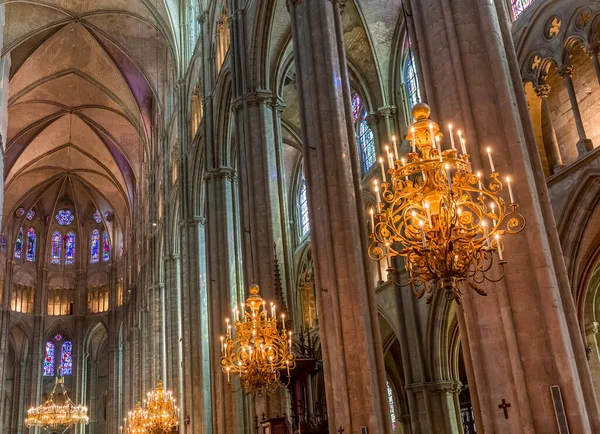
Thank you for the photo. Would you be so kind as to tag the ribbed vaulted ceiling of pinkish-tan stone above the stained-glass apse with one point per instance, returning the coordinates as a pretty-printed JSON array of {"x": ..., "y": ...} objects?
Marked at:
[{"x": 87, "y": 81}]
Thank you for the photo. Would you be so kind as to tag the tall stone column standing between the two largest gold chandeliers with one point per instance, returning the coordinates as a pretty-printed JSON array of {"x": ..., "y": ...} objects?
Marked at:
[{"x": 350, "y": 337}]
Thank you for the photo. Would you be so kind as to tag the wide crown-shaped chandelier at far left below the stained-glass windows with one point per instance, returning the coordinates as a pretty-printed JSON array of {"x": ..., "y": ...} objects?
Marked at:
[{"x": 57, "y": 414}]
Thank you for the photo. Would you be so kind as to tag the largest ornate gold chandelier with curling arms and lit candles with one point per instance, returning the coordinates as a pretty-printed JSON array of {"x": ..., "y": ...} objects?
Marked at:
[{"x": 444, "y": 220}]
